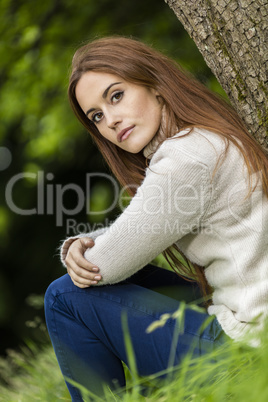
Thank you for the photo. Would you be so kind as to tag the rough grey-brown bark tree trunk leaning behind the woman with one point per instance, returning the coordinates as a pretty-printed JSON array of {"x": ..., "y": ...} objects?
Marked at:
[{"x": 232, "y": 36}]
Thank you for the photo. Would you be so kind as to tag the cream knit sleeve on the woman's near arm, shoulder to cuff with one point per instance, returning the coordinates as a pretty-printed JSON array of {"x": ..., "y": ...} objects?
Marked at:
[{"x": 170, "y": 202}]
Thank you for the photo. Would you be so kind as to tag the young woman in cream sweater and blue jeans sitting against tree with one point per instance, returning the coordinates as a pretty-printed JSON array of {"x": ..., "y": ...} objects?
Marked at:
[{"x": 199, "y": 183}]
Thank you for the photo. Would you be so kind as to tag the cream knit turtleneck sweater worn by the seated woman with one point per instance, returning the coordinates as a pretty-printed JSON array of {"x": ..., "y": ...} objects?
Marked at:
[{"x": 184, "y": 200}]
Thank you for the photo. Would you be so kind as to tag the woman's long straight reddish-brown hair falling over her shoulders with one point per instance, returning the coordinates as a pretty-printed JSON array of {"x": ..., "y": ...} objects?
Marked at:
[{"x": 187, "y": 103}]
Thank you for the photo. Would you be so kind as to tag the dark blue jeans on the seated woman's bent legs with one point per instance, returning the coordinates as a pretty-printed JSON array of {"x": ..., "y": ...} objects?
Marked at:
[{"x": 86, "y": 331}]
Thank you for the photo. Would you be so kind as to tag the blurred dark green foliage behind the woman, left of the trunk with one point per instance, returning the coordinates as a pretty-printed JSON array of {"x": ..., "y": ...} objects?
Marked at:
[{"x": 37, "y": 41}]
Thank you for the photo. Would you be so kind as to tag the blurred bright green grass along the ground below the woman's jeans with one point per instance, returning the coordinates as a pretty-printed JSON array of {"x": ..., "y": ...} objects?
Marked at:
[{"x": 238, "y": 373}]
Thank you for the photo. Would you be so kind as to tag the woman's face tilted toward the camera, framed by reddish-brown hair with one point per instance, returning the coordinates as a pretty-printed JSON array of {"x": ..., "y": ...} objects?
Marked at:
[{"x": 126, "y": 114}]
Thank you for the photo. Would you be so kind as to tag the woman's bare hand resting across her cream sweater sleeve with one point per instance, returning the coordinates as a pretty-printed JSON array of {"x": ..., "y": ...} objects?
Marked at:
[{"x": 82, "y": 272}]
